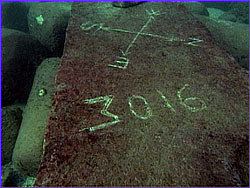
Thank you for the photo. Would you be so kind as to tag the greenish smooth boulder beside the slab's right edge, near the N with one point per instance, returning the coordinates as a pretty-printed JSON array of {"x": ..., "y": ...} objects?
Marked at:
[{"x": 234, "y": 37}]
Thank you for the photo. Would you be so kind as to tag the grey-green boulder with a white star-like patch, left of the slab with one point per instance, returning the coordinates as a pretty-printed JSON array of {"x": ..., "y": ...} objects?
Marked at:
[{"x": 51, "y": 31}]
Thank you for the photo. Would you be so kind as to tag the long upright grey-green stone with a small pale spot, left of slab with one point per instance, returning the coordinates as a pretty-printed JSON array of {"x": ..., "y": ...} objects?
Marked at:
[{"x": 28, "y": 148}]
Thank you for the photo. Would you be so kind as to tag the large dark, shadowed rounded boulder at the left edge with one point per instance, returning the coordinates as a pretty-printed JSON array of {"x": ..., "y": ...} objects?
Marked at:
[{"x": 20, "y": 55}]
